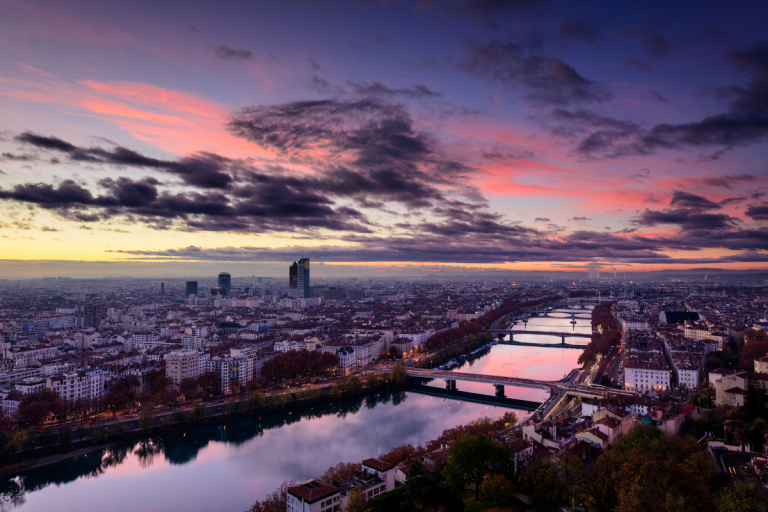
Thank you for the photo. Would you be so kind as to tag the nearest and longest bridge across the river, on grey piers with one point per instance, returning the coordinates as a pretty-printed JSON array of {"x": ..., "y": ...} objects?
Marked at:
[{"x": 499, "y": 382}]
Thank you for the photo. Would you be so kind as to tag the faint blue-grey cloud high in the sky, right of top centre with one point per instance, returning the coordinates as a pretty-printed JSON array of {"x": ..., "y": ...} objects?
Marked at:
[{"x": 546, "y": 79}]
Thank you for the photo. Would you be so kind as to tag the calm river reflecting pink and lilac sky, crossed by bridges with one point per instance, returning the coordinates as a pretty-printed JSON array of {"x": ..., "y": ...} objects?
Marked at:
[{"x": 227, "y": 467}]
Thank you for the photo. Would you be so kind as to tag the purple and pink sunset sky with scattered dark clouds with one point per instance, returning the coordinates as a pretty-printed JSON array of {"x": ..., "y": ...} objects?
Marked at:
[{"x": 446, "y": 135}]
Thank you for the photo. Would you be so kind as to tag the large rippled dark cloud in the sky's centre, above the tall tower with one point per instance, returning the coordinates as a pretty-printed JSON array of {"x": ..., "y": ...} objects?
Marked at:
[{"x": 375, "y": 139}]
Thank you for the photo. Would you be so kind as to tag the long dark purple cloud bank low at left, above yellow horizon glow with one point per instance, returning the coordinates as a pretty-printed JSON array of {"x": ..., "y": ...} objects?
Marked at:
[{"x": 267, "y": 206}]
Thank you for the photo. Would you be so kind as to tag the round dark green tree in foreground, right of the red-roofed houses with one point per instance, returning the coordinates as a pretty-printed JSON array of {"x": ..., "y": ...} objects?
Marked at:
[{"x": 471, "y": 458}]
